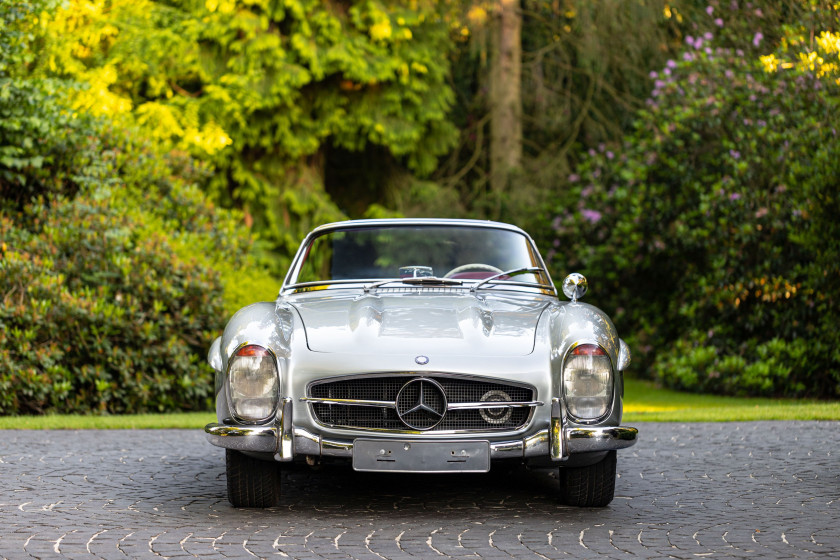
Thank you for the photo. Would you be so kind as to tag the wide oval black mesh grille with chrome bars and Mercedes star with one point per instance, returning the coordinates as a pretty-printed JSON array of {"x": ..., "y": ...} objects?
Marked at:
[{"x": 380, "y": 411}]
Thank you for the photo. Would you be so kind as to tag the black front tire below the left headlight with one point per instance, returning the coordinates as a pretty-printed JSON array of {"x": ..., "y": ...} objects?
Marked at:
[{"x": 251, "y": 482}]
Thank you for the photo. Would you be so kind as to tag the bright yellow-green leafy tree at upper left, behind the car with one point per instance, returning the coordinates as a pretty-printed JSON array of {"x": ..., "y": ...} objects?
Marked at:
[{"x": 265, "y": 90}]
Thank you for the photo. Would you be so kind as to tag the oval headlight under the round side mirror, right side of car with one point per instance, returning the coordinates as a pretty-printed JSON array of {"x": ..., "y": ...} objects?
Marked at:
[{"x": 587, "y": 382}]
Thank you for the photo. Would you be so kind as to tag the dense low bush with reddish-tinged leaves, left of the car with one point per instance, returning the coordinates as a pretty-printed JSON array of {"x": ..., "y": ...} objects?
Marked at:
[{"x": 100, "y": 314}]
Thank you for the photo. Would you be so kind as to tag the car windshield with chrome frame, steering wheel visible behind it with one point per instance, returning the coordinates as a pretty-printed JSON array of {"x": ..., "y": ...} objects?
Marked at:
[{"x": 413, "y": 251}]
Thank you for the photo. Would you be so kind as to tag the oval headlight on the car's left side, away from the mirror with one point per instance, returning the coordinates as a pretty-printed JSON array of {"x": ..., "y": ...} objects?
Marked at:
[{"x": 252, "y": 383}]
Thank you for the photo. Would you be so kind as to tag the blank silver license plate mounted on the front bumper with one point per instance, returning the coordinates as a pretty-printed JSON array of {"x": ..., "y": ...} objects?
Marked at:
[{"x": 411, "y": 456}]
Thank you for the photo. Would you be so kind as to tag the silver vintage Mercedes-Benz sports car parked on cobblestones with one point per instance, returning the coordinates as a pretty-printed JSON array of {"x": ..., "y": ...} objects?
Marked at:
[{"x": 420, "y": 346}]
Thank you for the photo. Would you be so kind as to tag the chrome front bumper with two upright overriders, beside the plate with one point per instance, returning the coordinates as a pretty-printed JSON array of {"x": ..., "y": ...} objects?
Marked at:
[{"x": 284, "y": 440}]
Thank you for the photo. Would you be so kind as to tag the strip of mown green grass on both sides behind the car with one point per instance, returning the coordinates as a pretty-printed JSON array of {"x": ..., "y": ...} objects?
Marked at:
[{"x": 643, "y": 402}]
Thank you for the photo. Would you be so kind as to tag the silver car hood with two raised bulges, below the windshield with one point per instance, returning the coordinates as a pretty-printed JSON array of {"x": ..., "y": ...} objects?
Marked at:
[{"x": 443, "y": 323}]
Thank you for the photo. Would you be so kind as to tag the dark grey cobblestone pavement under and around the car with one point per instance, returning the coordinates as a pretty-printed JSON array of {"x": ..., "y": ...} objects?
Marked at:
[{"x": 766, "y": 489}]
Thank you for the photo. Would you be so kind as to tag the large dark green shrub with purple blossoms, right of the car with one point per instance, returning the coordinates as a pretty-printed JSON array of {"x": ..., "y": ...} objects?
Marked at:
[{"x": 712, "y": 232}]
